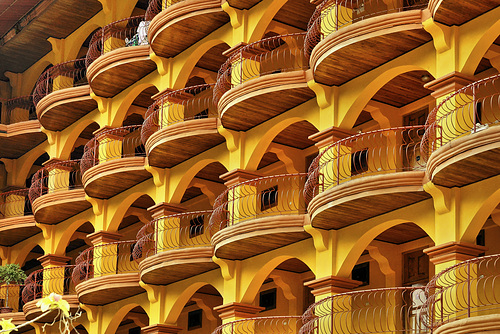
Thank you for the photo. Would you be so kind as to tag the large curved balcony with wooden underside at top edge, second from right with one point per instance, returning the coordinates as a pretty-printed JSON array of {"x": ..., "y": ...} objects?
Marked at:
[{"x": 347, "y": 38}]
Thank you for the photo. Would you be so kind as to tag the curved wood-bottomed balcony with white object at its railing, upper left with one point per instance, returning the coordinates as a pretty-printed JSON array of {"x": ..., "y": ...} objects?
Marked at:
[{"x": 118, "y": 56}]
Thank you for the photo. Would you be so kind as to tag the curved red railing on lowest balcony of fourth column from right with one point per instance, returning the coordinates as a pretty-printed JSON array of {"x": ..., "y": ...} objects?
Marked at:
[{"x": 179, "y": 231}]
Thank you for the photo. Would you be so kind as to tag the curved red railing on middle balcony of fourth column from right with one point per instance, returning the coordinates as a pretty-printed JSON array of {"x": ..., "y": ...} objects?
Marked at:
[{"x": 182, "y": 105}]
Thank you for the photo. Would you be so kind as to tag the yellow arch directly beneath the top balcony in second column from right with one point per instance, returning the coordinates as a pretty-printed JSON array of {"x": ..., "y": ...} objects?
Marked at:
[{"x": 350, "y": 116}]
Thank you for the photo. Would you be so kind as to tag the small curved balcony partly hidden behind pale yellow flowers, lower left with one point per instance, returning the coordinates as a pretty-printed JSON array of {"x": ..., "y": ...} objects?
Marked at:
[{"x": 42, "y": 283}]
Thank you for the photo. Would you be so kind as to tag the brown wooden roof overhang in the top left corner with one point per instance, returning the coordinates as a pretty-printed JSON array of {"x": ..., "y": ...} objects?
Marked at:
[{"x": 25, "y": 26}]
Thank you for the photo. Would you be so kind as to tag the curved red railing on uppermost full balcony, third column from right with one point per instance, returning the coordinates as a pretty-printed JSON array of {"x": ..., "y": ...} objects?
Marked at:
[{"x": 272, "y": 55}]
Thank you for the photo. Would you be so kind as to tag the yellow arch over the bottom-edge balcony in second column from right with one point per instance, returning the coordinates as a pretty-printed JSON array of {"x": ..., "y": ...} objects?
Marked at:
[{"x": 366, "y": 237}]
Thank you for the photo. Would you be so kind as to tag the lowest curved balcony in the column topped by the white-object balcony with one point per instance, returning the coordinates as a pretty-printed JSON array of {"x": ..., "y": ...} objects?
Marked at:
[{"x": 106, "y": 273}]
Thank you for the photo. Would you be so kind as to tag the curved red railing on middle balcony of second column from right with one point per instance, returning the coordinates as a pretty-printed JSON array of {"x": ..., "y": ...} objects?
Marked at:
[{"x": 371, "y": 153}]
